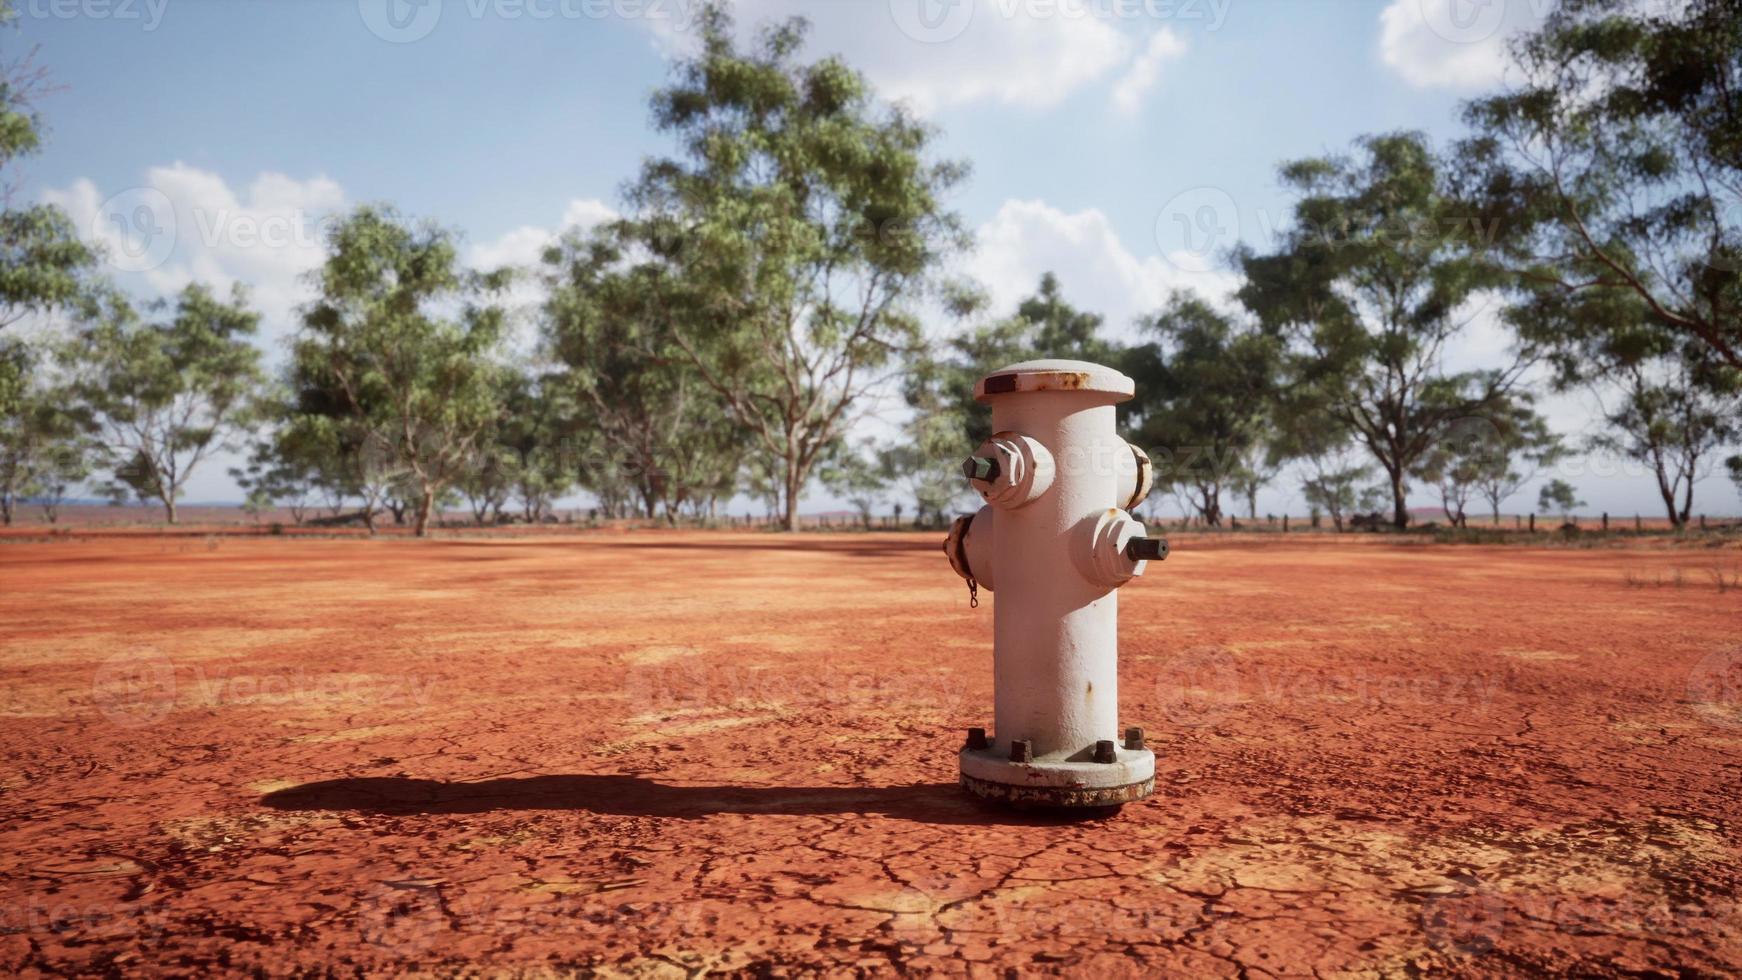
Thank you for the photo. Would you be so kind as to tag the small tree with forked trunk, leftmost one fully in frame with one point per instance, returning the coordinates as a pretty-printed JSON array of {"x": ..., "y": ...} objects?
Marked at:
[{"x": 165, "y": 396}]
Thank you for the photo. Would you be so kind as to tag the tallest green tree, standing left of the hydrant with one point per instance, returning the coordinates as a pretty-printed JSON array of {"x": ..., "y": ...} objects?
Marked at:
[{"x": 802, "y": 220}]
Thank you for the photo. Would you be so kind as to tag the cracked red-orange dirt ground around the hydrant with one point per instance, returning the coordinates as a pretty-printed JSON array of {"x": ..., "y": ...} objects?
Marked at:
[{"x": 679, "y": 753}]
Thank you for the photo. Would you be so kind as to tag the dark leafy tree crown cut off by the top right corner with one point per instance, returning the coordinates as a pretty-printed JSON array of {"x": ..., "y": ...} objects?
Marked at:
[{"x": 1614, "y": 164}]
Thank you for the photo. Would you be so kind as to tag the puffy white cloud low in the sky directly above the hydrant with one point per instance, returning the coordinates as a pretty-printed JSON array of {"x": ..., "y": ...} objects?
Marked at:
[{"x": 1097, "y": 271}]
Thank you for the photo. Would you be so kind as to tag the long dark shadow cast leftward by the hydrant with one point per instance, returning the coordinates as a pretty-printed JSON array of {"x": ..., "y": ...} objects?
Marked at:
[{"x": 637, "y": 796}]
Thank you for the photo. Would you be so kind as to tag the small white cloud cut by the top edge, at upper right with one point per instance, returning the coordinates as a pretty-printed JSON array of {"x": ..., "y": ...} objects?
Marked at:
[{"x": 1454, "y": 44}]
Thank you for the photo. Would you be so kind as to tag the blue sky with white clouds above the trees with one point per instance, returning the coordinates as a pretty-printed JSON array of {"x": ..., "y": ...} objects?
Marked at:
[{"x": 1098, "y": 130}]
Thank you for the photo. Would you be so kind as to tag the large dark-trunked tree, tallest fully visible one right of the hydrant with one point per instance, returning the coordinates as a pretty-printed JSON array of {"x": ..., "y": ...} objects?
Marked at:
[{"x": 1370, "y": 283}]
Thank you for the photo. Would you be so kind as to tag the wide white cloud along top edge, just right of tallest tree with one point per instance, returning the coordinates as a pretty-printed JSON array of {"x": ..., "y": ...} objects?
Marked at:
[{"x": 976, "y": 51}]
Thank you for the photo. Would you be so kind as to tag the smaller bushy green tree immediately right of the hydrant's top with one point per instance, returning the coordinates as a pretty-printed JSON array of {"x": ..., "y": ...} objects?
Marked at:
[{"x": 1205, "y": 391}]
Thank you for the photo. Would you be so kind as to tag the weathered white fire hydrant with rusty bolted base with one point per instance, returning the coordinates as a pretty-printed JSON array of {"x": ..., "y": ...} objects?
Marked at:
[{"x": 1053, "y": 544}]
